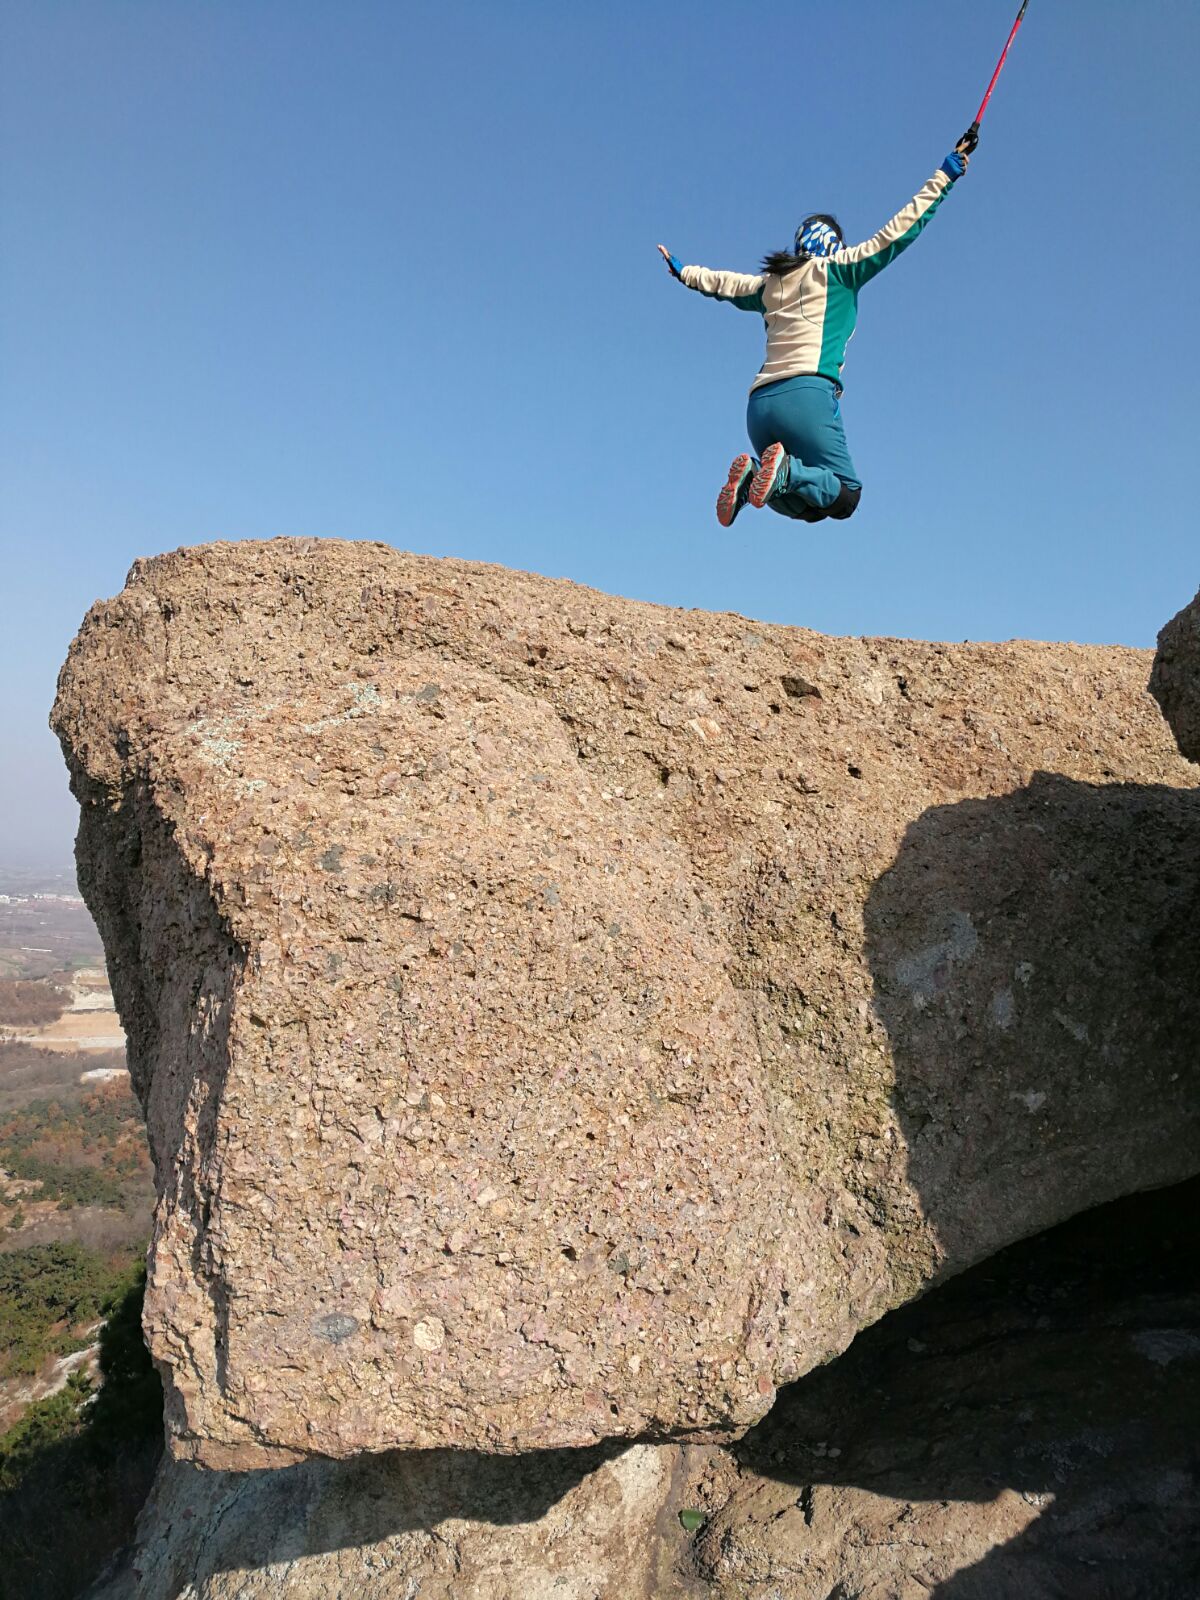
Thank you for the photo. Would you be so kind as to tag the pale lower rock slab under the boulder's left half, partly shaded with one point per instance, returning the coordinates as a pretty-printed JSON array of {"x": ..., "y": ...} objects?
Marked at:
[{"x": 438, "y": 1526}]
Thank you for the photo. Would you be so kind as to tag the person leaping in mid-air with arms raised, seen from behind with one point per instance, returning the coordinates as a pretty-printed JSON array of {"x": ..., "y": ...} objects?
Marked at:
[{"x": 809, "y": 300}]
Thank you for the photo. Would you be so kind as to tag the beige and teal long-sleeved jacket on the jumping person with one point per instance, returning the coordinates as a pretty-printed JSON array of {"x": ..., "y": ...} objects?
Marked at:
[{"x": 810, "y": 313}]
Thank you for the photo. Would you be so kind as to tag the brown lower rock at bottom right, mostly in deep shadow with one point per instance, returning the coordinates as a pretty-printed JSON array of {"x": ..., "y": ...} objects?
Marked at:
[{"x": 1025, "y": 1433}]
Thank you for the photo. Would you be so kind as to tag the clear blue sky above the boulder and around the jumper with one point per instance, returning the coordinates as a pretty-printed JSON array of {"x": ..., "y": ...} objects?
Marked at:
[{"x": 388, "y": 271}]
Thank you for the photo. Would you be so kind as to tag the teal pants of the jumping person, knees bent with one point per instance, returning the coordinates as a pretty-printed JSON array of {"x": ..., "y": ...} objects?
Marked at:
[{"x": 804, "y": 415}]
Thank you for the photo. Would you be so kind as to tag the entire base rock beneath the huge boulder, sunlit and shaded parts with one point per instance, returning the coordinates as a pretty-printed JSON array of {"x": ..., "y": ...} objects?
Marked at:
[{"x": 1025, "y": 1433}]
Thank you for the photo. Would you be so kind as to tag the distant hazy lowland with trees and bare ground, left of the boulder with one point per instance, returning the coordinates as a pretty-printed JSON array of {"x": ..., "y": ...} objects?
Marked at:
[{"x": 81, "y": 1406}]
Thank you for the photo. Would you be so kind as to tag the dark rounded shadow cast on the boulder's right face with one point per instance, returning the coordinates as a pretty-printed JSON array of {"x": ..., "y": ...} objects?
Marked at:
[{"x": 1049, "y": 943}]
